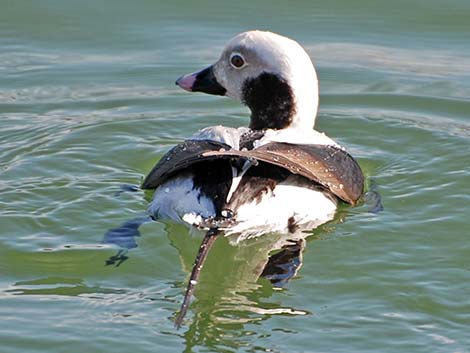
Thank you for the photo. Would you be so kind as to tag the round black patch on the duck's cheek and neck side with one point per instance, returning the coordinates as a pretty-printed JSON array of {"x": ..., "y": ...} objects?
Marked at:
[{"x": 270, "y": 100}]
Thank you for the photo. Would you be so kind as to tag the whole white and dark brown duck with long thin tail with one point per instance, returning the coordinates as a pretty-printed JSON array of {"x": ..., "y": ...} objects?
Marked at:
[{"x": 276, "y": 175}]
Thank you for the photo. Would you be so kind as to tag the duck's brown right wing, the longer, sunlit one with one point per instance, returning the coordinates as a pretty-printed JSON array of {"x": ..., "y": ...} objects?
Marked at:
[{"x": 327, "y": 165}]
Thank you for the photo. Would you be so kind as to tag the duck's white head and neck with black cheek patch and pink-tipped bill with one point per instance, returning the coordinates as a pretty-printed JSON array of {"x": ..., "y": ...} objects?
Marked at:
[{"x": 271, "y": 74}]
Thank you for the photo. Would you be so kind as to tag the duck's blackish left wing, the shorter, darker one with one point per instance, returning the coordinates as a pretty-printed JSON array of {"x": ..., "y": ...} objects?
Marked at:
[{"x": 181, "y": 157}]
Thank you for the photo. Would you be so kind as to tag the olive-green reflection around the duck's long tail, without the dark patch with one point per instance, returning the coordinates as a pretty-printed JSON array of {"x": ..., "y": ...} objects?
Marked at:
[{"x": 231, "y": 291}]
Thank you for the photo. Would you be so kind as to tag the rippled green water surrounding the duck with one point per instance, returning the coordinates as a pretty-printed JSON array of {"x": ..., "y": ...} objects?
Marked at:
[{"x": 88, "y": 104}]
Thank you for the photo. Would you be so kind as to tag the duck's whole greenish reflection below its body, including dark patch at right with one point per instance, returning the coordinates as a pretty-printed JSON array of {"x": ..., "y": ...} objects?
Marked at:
[{"x": 239, "y": 280}]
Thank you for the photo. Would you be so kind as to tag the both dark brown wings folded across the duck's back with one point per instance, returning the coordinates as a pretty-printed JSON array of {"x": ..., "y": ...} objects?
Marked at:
[{"x": 326, "y": 165}]
